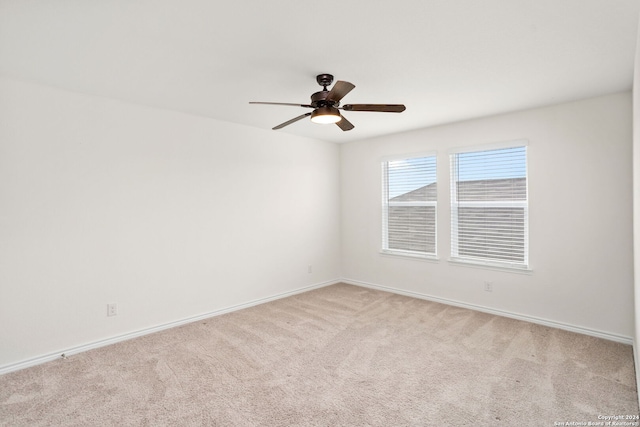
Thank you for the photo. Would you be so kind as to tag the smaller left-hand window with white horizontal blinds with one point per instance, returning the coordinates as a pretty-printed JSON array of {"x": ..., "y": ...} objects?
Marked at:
[{"x": 409, "y": 206}]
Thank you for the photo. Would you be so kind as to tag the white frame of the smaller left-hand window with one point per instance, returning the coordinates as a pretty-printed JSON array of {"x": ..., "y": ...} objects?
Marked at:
[{"x": 386, "y": 204}]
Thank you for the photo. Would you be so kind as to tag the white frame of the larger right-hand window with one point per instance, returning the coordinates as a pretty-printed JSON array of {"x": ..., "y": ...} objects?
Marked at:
[{"x": 455, "y": 205}]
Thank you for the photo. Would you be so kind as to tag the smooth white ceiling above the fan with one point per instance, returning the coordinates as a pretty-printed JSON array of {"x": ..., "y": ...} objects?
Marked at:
[{"x": 446, "y": 60}]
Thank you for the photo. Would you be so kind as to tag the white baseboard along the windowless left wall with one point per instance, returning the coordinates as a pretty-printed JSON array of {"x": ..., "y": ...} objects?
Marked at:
[{"x": 101, "y": 343}]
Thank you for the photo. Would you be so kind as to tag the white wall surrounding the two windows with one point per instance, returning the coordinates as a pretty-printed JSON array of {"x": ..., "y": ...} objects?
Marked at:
[{"x": 580, "y": 187}]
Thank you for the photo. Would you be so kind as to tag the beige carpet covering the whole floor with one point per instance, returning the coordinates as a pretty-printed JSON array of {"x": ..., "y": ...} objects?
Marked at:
[{"x": 336, "y": 356}]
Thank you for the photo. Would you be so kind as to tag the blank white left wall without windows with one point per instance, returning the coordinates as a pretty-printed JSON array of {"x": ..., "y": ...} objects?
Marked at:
[{"x": 168, "y": 215}]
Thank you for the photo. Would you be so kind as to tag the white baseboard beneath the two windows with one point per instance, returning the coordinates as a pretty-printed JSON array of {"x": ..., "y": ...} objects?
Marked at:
[{"x": 532, "y": 319}]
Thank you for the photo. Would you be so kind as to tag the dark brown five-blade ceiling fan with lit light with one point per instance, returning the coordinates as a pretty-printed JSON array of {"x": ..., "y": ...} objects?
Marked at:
[{"x": 326, "y": 105}]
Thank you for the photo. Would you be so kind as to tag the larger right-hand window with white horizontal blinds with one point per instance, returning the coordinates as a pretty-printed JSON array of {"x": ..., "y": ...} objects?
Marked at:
[{"x": 489, "y": 208}]
